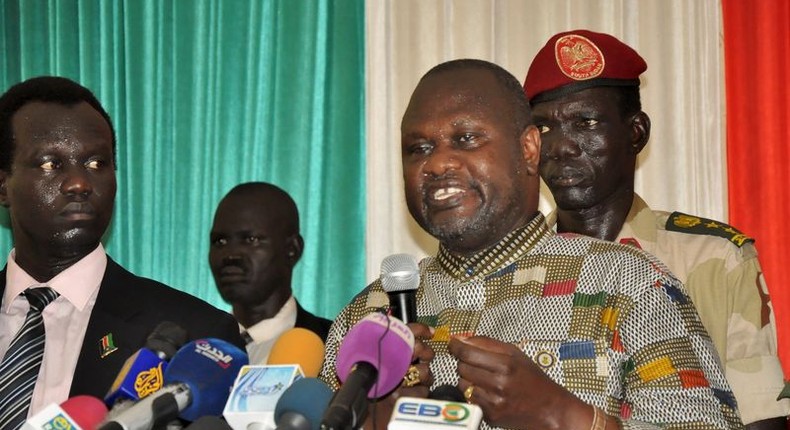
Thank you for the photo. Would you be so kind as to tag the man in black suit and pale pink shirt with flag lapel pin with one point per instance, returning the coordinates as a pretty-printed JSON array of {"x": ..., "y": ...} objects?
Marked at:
[{"x": 57, "y": 180}]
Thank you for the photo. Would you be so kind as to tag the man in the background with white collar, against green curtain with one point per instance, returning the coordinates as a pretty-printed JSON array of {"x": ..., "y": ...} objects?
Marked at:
[{"x": 255, "y": 244}]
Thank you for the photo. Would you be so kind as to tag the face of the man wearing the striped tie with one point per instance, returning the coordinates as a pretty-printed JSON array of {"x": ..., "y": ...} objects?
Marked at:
[{"x": 61, "y": 185}]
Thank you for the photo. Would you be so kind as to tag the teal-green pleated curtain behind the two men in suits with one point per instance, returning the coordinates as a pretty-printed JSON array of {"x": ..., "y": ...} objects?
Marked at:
[{"x": 205, "y": 95}]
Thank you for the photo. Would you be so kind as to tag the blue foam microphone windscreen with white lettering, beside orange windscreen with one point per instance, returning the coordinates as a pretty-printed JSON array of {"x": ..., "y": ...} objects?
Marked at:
[{"x": 209, "y": 368}]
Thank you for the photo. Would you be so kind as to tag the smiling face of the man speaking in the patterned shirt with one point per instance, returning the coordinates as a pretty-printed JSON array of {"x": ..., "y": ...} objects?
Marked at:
[{"x": 470, "y": 173}]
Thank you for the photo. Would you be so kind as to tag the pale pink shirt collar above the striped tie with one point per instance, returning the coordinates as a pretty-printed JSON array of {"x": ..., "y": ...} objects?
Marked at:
[{"x": 77, "y": 283}]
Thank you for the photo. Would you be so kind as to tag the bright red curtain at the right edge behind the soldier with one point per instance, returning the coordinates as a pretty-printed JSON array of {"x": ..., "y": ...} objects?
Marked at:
[{"x": 757, "y": 66}]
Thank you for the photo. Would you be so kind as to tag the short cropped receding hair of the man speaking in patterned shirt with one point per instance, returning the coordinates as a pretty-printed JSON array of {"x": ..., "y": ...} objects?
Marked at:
[{"x": 521, "y": 109}]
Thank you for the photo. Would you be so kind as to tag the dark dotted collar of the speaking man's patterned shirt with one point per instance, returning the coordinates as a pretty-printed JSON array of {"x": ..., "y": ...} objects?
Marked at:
[{"x": 508, "y": 250}]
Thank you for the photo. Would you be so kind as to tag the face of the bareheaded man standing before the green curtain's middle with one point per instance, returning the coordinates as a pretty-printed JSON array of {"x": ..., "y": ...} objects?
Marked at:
[{"x": 252, "y": 257}]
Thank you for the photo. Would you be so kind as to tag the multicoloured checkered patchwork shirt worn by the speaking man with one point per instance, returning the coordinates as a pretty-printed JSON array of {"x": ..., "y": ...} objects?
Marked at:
[{"x": 606, "y": 321}]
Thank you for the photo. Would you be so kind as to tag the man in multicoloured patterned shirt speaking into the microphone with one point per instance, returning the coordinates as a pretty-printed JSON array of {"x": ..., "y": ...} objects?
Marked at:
[{"x": 542, "y": 331}]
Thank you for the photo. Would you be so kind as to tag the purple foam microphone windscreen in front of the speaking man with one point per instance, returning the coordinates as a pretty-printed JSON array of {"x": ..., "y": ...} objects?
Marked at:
[{"x": 382, "y": 341}]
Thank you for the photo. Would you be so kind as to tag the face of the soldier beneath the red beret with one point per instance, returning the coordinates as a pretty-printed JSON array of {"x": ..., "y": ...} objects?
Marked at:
[{"x": 588, "y": 159}]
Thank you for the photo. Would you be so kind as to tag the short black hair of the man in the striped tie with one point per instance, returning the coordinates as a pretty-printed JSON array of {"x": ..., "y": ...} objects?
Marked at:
[{"x": 48, "y": 89}]
